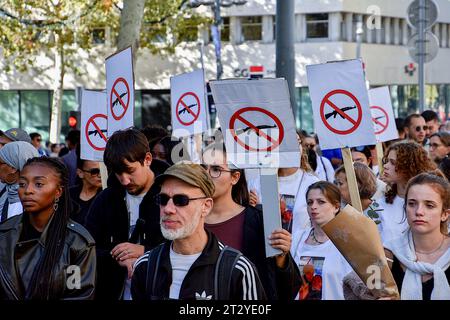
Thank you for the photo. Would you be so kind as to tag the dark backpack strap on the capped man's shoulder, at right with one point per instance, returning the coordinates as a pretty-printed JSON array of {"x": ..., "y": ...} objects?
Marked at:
[{"x": 225, "y": 264}]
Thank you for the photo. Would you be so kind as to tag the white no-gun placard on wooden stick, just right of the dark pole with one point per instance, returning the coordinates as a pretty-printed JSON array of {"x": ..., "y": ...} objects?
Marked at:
[{"x": 340, "y": 104}]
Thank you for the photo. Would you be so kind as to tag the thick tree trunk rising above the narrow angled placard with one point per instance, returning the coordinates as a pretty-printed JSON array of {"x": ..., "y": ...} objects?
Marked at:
[{"x": 130, "y": 25}]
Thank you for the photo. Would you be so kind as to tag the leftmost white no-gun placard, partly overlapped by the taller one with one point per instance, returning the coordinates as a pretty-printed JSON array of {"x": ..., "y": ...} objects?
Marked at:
[{"x": 94, "y": 125}]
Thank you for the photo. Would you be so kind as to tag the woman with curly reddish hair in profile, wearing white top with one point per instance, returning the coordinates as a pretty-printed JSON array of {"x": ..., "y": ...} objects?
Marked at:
[{"x": 402, "y": 161}]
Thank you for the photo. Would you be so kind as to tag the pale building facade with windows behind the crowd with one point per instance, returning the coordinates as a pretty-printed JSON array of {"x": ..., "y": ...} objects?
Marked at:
[{"x": 325, "y": 30}]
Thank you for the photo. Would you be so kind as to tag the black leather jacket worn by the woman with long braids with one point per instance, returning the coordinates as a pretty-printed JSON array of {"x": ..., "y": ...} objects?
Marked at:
[{"x": 74, "y": 274}]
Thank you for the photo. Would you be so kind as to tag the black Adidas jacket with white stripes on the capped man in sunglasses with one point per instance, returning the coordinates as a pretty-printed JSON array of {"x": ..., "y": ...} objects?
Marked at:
[{"x": 198, "y": 283}]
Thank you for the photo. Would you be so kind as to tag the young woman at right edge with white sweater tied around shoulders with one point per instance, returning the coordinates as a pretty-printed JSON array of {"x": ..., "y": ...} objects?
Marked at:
[{"x": 421, "y": 256}]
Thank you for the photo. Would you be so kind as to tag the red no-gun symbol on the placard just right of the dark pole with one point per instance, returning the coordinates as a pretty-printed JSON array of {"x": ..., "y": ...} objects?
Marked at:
[{"x": 340, "y": 112}]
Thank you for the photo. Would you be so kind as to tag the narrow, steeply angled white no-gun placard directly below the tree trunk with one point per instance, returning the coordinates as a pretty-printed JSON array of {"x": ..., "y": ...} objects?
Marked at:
[{"x": 120, "y": 90}]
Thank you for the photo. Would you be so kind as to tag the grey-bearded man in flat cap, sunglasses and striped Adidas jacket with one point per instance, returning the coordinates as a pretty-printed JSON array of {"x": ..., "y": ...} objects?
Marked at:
[{"x": 186, "y": 267}]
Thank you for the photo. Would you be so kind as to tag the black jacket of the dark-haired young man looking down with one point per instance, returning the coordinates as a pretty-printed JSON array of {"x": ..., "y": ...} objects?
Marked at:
[{"x": 108, "y": 222}]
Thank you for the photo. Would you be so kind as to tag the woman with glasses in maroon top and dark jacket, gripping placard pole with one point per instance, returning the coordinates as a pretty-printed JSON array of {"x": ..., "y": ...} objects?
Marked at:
[{"x": 240, "y": 226}]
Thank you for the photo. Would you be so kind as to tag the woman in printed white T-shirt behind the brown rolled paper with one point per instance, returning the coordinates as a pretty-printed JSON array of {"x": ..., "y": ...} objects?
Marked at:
[{"x": 321, "y": 265}]
